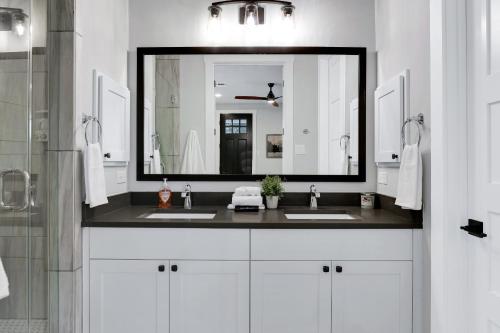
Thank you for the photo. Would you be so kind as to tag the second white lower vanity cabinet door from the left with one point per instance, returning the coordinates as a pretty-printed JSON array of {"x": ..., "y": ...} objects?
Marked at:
[{"x": 209, "y": 297}]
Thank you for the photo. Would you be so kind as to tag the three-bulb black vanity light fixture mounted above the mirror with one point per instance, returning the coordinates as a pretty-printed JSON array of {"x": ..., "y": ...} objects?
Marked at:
[{"x": 251, "y": 12}]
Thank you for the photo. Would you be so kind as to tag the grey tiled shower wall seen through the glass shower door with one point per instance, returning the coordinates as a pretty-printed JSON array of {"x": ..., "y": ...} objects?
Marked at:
[{"x": 13, "y": 155}]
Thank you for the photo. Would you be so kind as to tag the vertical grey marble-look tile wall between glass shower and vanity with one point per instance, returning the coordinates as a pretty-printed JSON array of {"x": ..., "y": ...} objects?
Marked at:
[{"x": 65, "y": 165}]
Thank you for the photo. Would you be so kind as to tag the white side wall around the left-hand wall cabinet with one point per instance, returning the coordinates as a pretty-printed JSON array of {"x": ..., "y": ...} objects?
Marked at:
[{"x": 101, "y": 43}]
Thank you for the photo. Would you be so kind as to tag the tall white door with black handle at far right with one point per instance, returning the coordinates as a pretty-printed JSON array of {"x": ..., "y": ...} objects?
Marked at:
[{"x": 483, "y": 19}]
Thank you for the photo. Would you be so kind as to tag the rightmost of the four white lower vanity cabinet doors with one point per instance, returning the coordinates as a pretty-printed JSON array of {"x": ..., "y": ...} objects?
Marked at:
[{"x": 372, "y": 297}]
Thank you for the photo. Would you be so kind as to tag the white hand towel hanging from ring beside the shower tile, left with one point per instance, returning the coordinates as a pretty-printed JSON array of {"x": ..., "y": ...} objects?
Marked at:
[{"x": 95, "y": 183}]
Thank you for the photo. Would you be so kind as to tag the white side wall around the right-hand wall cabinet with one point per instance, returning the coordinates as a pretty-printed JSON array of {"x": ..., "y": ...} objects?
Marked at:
[{"x": 403, "y": 42}]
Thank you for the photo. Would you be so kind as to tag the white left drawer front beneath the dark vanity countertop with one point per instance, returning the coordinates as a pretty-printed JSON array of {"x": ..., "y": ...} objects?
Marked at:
[{"x": 156, "y": 243}]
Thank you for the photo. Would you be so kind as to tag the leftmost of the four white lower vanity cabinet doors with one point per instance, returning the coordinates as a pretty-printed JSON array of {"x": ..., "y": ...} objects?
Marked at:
[{"x": 129, "y": 296}]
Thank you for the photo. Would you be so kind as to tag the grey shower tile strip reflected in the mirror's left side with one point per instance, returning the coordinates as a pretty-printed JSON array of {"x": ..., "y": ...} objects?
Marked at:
[{"x": 167, "y": 110}]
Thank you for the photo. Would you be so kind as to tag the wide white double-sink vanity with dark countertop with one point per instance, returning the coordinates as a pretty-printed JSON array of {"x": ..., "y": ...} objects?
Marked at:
[{"x": 251, "y": 272}]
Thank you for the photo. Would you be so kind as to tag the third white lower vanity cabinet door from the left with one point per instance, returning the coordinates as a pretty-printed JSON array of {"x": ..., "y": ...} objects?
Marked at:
[{"x": 291, "y": 297}]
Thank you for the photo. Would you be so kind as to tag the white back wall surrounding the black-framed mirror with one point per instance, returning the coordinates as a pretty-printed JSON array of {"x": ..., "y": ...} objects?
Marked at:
[{"x": 318, "y": 23}]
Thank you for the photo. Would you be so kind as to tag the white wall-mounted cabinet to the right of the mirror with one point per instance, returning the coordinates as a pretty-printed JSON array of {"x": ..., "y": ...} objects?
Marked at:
[{"x": 389, "y": 113}]
